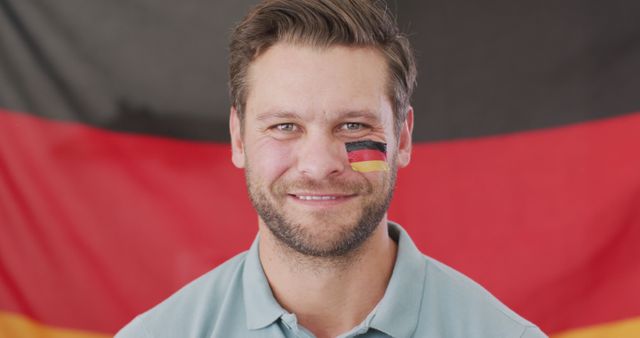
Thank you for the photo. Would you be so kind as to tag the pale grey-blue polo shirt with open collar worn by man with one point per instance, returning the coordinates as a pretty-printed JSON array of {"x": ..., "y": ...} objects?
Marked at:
[{"x": 424, "y": 298}]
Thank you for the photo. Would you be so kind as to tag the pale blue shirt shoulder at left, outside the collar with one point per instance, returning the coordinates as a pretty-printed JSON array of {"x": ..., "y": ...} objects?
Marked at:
[{"x": 192, "y": 309}]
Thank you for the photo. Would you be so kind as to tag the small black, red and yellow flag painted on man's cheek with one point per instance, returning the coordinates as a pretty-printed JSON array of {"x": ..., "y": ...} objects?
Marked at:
[{"x": 367, "y": 156}]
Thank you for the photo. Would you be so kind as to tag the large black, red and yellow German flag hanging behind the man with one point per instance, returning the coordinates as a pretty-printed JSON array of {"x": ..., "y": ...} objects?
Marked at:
[{"x": 116, "y": 186}]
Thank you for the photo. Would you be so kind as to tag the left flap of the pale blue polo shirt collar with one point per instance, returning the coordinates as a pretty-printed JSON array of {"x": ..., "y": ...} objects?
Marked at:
[{"x": 260, "y": 305}]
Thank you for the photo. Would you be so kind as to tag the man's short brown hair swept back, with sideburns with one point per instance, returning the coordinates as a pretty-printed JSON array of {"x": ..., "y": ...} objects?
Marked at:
[{"x": 323, "y": 23}]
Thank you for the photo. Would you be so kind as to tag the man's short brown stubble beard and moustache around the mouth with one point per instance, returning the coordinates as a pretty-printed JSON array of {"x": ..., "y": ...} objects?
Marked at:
[{"x": 300, "y": 237}]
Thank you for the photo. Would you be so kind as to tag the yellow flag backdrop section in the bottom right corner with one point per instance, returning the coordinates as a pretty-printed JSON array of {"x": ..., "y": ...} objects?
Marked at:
[{"x": 629, "y": 328}]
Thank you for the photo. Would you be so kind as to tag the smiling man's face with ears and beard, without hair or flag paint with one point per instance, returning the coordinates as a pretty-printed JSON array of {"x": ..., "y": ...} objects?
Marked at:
[{"x": 303, "y": 105}]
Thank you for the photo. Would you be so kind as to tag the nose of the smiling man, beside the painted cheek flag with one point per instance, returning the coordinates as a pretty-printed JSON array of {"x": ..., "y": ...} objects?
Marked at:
[{"x": 320, "y": 156}]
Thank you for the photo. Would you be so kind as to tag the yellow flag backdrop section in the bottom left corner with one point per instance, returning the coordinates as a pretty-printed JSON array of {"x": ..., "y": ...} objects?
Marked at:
[{"x": 18, "y": 326}]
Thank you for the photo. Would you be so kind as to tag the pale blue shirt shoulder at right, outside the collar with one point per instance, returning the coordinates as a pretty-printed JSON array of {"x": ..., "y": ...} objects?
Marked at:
[{"x": 453, "y": 305}]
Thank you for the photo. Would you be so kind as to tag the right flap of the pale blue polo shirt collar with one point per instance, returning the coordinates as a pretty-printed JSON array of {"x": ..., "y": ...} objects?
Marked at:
[{"x": 398, "y": 312}]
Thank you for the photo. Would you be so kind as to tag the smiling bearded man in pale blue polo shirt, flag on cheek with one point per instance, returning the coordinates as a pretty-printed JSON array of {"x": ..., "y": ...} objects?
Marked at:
[{"x": 321, "y": 122}]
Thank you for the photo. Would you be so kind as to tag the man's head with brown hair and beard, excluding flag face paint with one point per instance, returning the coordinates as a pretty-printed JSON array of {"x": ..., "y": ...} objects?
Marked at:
[{"x": 306, "y": 78}]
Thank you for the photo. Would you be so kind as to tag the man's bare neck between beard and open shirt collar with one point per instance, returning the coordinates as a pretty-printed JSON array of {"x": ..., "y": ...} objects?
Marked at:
[{"x": 329, "y": 295}]
